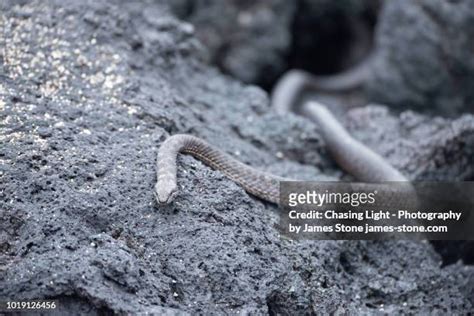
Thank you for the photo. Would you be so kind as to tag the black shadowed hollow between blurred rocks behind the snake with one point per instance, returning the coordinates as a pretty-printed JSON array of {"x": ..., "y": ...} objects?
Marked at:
[{"x": 327, "y": 41}]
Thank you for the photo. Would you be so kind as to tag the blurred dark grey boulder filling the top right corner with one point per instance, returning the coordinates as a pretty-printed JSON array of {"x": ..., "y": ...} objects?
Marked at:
[{"x": 425, "y": 56}]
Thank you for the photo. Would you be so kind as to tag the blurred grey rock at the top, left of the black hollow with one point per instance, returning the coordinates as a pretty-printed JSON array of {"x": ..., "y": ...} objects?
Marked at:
[{"x": 247, "y": 39}]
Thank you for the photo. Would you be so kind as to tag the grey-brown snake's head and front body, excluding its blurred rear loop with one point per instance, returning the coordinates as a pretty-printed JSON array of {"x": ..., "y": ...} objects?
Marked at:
[{"x": 351, "y": 155}]
